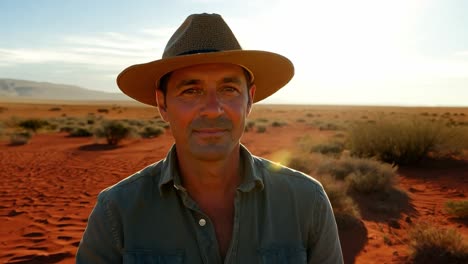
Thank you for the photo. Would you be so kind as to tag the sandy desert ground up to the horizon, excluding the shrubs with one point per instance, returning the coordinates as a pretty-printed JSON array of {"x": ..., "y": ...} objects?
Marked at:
[{"x": 49, "y": 185}]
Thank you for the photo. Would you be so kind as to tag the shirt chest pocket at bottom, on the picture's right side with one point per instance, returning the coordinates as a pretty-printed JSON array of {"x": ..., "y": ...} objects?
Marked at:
[{"x": 282, "y": 255}]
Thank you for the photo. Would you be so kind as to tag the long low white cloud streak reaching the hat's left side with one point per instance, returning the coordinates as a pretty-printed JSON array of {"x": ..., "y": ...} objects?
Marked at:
[{"x": 110, "y": 49}]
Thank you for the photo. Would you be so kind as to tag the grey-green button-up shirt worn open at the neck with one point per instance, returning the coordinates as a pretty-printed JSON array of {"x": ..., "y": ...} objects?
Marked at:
[{"x": 281, "y": 216}]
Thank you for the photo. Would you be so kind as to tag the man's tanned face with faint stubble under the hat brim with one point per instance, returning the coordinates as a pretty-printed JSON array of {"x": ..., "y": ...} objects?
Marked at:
[{"x": 206, "y": 106}]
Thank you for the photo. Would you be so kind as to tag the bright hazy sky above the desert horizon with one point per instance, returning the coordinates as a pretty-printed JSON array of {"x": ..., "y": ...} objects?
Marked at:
[{"x": 351, "y": 52}]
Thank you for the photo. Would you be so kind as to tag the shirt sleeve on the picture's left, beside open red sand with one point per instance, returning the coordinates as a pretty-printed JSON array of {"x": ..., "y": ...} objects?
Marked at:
[{"x": 101, "y": 241}]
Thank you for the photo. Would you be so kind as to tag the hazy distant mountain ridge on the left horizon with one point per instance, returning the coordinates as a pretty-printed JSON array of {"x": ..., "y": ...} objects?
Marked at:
[{"x": 22, "y": 89}]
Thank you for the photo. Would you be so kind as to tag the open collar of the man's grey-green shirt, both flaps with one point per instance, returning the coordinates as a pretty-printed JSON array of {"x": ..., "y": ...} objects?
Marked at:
[{"x": 170, "y": 172}]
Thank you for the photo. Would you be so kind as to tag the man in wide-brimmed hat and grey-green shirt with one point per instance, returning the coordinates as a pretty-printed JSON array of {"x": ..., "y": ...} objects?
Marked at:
[{"x": 210, "y": 200}]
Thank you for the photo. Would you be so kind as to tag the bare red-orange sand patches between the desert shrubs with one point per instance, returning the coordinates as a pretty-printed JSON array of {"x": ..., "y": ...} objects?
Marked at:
[{"x": 49, "y": 187}]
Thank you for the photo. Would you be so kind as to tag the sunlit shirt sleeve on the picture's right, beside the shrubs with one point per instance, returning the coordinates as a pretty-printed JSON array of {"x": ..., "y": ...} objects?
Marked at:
[{"x": 325, "y": 247}]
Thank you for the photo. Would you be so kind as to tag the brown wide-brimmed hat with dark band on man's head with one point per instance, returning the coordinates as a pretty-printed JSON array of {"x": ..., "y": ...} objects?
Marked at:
[{"x": 206, "y": 38}]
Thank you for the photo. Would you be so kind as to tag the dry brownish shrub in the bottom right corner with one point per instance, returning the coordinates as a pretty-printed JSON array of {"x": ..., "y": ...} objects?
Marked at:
[{"x": 431, "y": 244}]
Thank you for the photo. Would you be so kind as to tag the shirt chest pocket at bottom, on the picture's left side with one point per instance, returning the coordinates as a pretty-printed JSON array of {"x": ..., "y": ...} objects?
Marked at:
[{"x": 143, "y": 257}]
